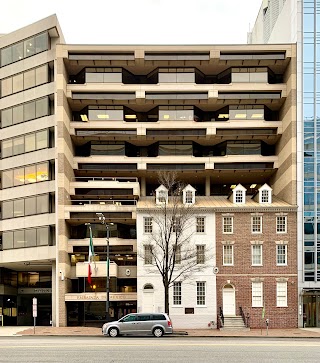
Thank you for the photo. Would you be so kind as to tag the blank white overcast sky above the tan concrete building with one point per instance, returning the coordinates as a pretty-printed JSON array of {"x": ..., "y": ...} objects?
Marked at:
[{"x": 138, "y": 21}]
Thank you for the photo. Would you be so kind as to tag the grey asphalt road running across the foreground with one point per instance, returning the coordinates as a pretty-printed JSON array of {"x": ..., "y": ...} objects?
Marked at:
[{"x": 149, "y": 349}]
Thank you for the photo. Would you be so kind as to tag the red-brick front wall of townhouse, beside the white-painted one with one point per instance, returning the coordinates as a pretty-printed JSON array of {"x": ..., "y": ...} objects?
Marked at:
[{"x": 241, "y": 274}]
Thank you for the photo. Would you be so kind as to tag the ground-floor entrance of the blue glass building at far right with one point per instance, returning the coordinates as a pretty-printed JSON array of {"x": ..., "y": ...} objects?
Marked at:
[{"x": 311, "y": 309}]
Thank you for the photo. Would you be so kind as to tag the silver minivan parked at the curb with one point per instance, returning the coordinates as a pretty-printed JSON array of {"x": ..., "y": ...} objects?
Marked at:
[{"x": 157, "y": 324}]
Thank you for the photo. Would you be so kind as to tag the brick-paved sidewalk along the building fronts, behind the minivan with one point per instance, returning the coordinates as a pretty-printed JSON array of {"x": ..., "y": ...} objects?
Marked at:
[{"x": 87, "y": 331}]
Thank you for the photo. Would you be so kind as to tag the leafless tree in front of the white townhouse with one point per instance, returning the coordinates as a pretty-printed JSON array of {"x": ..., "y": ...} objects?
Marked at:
[{"x": 170, "y": 248}]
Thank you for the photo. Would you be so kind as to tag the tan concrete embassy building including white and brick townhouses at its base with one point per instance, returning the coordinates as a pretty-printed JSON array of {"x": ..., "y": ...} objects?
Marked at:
[{"x": 85, "y": 128}]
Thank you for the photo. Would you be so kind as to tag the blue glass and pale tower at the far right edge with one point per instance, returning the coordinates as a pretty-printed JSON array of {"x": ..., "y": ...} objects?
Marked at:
[{"x": 296, "y": 21}]
